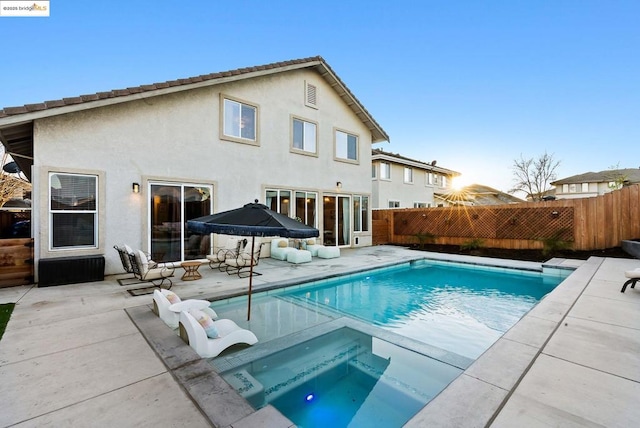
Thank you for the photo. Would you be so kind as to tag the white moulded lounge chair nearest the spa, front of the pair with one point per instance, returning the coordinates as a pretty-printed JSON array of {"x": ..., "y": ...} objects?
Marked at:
[{"x": 229, "y": 333}]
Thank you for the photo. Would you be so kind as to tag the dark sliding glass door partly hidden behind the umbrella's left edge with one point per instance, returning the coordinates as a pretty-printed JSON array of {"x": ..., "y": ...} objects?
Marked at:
[{"x": 171, "y": 205}]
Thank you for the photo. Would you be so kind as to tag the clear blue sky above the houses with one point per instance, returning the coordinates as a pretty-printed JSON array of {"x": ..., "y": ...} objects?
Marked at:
[{"x": 472, "y": 84}]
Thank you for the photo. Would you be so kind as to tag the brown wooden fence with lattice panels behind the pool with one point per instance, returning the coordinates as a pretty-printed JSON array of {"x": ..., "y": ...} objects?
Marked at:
[{"x": 587, "y": 223}]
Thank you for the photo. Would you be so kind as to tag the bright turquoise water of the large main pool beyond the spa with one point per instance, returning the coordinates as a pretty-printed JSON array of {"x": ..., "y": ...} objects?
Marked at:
[{"x": 459, "y": 308}]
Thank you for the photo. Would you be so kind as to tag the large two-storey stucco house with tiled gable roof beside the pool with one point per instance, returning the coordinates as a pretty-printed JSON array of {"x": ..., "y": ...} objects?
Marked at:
[{"x": 133, "y": 165}]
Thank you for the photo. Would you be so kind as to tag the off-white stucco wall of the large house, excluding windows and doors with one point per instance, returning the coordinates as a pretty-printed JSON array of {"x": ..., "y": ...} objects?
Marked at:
[{"x": 175, "y": 137}]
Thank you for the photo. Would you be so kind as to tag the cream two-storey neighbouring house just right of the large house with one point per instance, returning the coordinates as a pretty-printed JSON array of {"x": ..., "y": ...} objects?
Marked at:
[{"x": 401, "y": 182}]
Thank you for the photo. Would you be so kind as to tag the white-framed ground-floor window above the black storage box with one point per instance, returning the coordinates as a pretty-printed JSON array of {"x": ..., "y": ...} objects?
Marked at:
[{"x": 73, "y": 211}]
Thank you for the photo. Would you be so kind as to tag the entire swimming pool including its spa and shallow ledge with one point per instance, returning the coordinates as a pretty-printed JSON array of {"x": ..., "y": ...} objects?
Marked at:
[{"x": 458, "y": 310}]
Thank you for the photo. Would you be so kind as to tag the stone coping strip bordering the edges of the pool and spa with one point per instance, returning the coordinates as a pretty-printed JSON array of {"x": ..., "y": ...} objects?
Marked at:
[{"x": 515, "y": 352}]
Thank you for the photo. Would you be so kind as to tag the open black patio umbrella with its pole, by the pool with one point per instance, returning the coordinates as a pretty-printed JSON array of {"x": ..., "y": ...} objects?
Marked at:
[{"x": 253, "y": 219}]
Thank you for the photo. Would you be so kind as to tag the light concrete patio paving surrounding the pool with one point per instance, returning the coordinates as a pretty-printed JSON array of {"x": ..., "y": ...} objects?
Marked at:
[{"x": 72, "y": 356}]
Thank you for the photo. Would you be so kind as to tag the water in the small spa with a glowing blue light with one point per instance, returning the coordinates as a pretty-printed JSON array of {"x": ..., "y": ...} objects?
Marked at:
[{"x": 343, "y": 378}]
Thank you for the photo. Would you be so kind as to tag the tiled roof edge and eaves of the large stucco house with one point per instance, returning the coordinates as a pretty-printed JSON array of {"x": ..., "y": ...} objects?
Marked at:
[{"x": 16, "y": 123}]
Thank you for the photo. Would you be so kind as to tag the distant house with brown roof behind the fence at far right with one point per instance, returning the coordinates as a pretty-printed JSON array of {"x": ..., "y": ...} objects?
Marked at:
[{"x": 595, "y": 183}]
